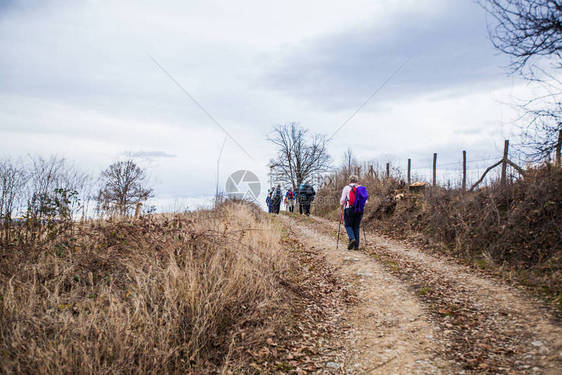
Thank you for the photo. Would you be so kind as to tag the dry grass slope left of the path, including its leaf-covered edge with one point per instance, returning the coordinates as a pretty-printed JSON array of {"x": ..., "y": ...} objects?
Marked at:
[{"x": 226, "y": 291}]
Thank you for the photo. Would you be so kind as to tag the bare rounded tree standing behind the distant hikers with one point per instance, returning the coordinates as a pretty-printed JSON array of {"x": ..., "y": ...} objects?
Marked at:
[{"x": 300, "y": 155}]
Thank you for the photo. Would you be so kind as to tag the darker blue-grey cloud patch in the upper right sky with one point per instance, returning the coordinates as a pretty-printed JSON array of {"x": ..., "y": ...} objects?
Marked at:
[{"x": 449, "y": 50}]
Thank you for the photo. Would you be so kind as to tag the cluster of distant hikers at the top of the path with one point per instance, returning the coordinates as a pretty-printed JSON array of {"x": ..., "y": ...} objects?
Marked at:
[{"x": 303, "y": 196}]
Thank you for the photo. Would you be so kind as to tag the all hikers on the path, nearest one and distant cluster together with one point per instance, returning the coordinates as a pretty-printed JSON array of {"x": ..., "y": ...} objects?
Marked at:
[{"x": 352, "y": 205}]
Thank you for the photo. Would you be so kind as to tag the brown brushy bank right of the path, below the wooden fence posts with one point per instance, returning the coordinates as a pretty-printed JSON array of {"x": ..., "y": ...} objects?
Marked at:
[{"x": 514, "y": 229}]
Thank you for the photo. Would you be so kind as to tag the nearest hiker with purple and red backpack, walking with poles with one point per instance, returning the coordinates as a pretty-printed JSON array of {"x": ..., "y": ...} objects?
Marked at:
[{"x": 353, "y": 199}]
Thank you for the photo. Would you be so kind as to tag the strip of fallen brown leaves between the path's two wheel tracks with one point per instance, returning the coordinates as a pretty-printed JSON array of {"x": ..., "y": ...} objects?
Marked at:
[{"x": 480, "y": 337}]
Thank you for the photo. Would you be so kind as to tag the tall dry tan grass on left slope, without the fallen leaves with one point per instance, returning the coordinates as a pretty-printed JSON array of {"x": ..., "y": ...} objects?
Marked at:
[{"x": 165, "y": 294}]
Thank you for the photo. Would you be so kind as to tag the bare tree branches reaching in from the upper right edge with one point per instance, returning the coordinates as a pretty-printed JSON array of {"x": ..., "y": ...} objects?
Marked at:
[{"x": 530, "y": 32}]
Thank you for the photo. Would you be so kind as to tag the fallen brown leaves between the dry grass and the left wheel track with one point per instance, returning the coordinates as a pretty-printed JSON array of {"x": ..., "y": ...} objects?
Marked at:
[{"x": 308, "y": 336}]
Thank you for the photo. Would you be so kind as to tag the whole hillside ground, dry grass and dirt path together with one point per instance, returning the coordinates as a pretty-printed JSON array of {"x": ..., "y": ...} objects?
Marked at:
[{"x": 237, "y": 291}]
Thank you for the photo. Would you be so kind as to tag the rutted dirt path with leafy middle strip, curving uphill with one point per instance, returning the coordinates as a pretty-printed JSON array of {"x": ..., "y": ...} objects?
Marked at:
[{"x": 417, "y": 313}]
